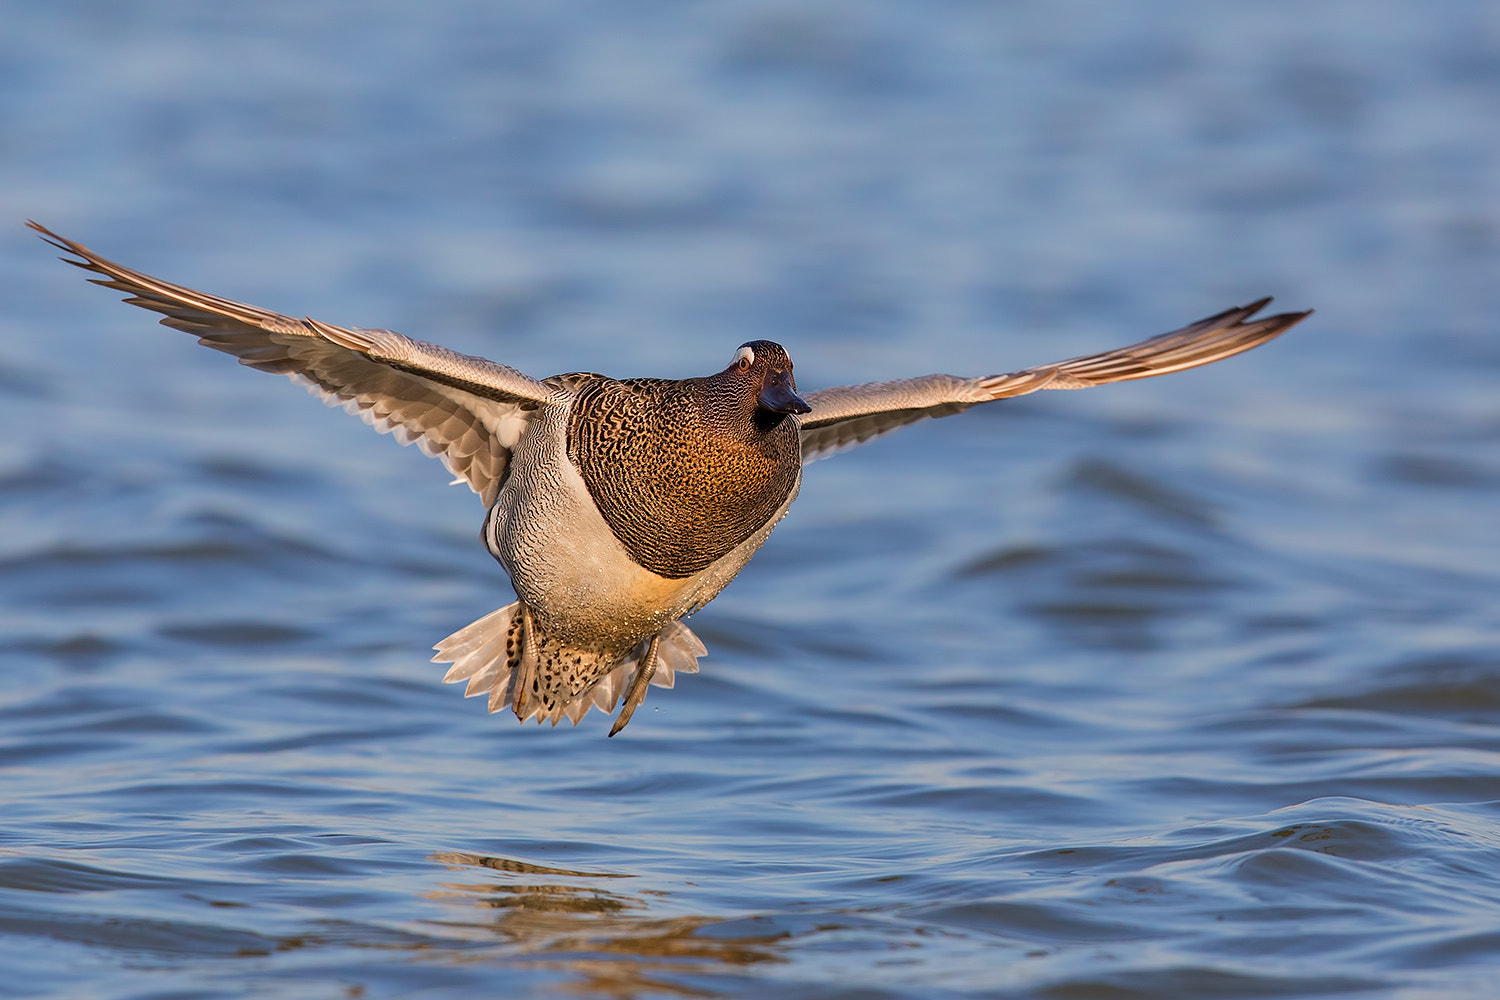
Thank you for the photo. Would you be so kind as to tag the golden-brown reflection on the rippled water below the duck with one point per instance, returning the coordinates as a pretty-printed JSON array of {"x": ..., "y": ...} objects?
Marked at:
[{"x": 556, "y": 918}]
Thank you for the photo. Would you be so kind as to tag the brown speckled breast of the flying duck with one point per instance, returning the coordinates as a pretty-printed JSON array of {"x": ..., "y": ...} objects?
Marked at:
[{"x": 676, "y": 491}]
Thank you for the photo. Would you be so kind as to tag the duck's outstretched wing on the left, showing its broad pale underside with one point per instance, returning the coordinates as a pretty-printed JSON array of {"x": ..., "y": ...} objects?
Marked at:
[{"x": 464, "y": 410}]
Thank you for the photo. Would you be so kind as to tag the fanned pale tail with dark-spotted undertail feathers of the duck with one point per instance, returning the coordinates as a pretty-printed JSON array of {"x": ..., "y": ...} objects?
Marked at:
[{"x": 563, "y": 680}]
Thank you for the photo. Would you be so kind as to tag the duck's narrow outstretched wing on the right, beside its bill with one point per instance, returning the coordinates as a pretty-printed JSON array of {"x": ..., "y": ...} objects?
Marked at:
[{"x": 853, "y": 415}]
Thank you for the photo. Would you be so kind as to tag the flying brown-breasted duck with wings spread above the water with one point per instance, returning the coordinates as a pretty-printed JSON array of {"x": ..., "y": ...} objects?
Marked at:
[{"x": 617, "y": 506}]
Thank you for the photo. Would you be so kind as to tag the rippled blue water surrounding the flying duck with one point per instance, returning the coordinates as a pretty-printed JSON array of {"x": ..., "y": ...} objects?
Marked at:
[{"x": 1178, "y": 689}]
